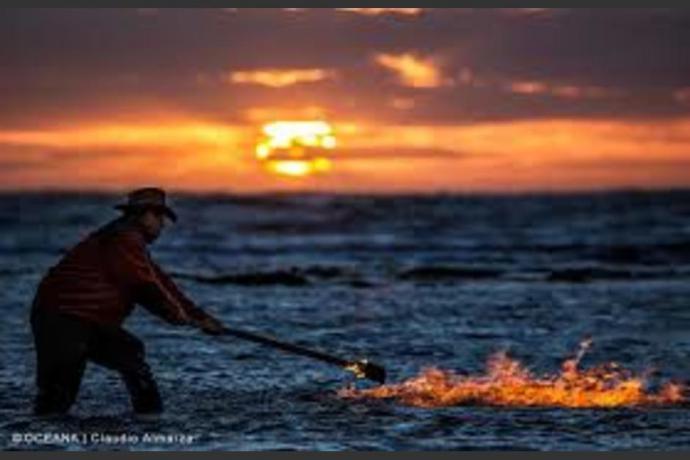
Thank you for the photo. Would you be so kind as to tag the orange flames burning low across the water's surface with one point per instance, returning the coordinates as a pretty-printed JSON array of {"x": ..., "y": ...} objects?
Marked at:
[{"x": 507, "y": 382}]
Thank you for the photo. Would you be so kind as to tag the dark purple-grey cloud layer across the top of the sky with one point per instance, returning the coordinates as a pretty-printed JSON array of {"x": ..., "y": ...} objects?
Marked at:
[{"x": 581, "y": 55}]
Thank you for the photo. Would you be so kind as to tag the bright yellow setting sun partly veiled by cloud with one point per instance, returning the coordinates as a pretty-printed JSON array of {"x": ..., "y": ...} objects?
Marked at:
[{"x": 296, "y": 148}]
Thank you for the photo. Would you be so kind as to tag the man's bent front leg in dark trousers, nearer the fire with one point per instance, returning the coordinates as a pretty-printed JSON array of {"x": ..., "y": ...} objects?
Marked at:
[{"x": 117, "y": 349}]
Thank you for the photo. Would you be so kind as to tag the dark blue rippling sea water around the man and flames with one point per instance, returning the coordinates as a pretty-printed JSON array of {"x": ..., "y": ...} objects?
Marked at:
[{"x": 409, "y": 282}]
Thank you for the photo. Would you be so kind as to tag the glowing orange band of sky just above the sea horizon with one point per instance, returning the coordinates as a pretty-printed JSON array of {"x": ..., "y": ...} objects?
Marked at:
[{"x": 552, "y": 155}]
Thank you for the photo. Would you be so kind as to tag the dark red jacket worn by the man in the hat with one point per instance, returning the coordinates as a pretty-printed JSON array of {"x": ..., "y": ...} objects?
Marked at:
[{"x": 106, "y": 274}]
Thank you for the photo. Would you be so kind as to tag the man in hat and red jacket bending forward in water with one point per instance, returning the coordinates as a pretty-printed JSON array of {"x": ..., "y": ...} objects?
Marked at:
[{"x": 81, "y": 303}]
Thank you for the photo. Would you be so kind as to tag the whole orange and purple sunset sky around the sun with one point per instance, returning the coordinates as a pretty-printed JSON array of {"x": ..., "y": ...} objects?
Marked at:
[{"x": 419, "y": 100}]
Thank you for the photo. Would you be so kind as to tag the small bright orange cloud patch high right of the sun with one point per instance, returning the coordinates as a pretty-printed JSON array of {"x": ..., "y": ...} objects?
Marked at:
[{"x": 412, "y": 70}]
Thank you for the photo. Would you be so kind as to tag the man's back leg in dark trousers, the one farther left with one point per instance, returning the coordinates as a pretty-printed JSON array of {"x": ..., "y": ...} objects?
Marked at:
[{"x": 61, "y": 349}]
